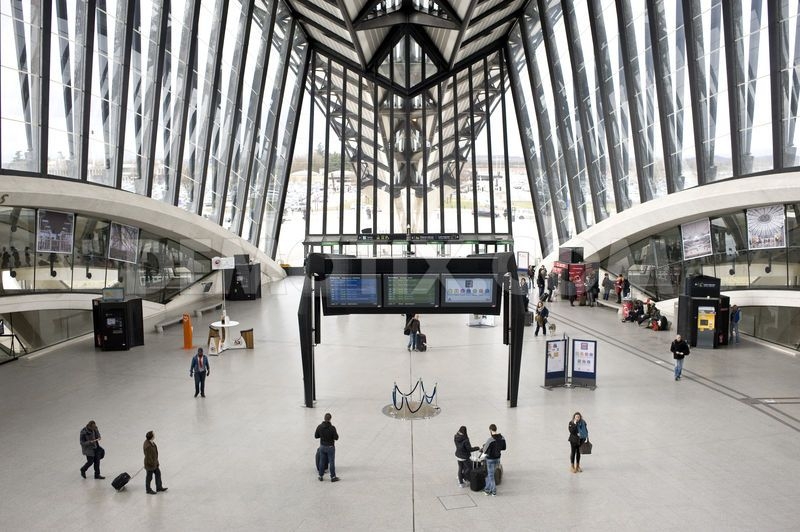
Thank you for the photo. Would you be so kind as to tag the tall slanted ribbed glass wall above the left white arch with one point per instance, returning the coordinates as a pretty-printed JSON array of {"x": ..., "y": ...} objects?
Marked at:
[{"x": 180, "y": 100}]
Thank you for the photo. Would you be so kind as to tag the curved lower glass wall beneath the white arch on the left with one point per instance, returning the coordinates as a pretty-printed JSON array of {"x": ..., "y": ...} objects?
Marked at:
[{"x": 157, "y": 269}]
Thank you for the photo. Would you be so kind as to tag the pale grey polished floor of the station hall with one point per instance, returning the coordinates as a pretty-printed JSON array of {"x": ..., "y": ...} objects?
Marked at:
[{"x": 715, "y": 451}]
